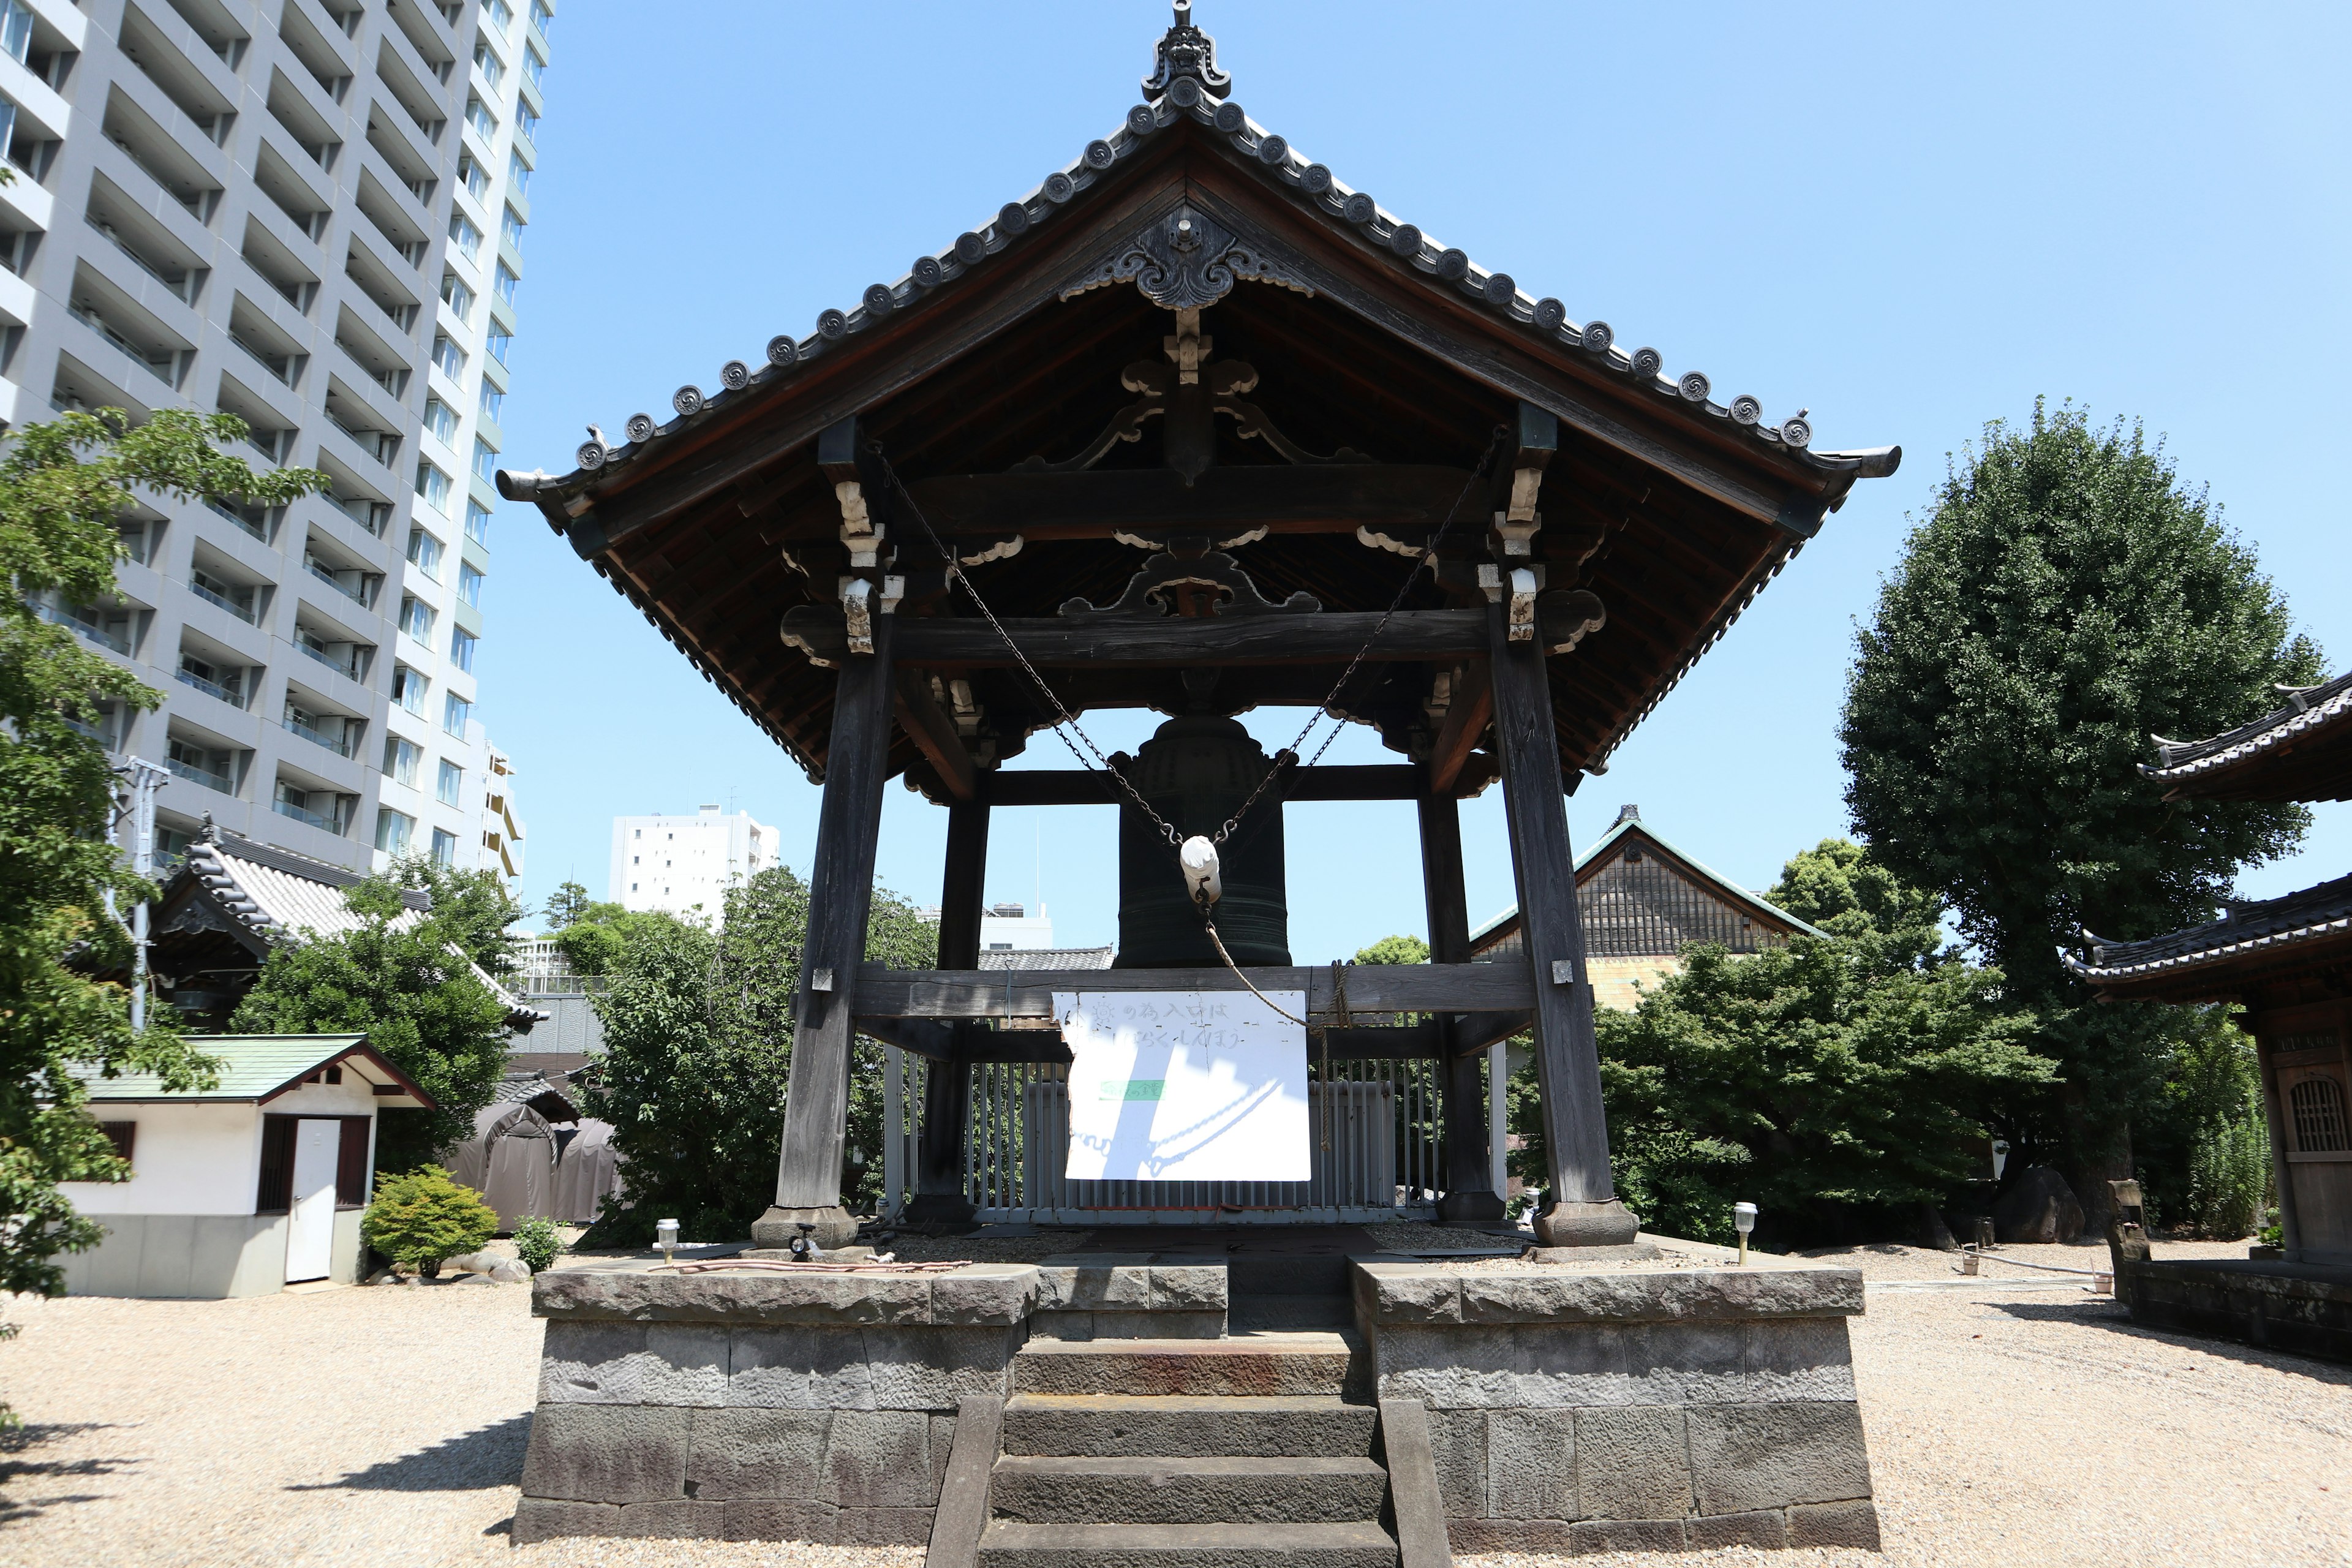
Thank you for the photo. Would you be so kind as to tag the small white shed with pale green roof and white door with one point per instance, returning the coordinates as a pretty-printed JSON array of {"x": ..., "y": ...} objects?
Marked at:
[{"x": 250, "y": 1186}]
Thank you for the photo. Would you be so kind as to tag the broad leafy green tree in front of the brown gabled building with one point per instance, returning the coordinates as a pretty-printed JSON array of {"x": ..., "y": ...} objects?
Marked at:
[{"x": 1833, "y": 1083}]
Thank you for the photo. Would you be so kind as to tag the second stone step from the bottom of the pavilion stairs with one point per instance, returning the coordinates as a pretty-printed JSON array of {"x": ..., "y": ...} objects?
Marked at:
[{"x": 1187, "y": 1489}]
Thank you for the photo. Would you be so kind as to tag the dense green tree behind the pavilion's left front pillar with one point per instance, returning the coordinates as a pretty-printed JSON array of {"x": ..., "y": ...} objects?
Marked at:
[{"x": 700, "y": 1054}]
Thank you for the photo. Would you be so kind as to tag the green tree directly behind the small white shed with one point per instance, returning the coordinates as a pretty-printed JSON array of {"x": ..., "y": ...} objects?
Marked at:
[{"x": 410, "y": 989}]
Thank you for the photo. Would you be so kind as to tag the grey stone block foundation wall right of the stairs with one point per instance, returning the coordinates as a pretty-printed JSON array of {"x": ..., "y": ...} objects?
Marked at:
[{"x": 1593, "y": 1412}]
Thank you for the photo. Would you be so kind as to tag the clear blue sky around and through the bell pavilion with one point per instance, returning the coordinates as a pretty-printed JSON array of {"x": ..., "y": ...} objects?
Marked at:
[{"x": 1906, "y": 220}]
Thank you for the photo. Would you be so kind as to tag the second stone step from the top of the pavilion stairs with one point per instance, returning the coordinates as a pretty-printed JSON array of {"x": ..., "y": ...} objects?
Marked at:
[{"x": 1177, "y": 1426}]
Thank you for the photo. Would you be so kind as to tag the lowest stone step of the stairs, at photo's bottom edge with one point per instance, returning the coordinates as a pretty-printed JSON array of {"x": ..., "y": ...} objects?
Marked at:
[{"x": 1187, "y": 1546}]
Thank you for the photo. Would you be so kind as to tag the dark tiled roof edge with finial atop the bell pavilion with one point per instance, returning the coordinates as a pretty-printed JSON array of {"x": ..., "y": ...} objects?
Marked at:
[{"x": 1189, "y": 91}]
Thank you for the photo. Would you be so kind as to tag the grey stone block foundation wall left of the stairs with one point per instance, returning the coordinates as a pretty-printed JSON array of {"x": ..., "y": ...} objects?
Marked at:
[{"x": 759, "y": 1407}]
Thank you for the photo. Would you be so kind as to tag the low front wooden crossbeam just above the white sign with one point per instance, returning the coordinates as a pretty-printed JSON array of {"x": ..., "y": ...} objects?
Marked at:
[{"x": 1372, "y": 989}]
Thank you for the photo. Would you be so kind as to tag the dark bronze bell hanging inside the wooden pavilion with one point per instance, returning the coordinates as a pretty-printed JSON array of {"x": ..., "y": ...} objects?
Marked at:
[{"x": 1196, "y": 772}]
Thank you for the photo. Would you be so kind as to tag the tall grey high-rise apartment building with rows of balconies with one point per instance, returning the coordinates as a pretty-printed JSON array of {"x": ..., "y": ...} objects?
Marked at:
[{"x": 305, "y": 213}]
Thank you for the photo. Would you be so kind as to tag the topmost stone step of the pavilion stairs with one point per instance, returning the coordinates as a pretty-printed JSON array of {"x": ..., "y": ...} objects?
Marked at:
[{"x": 1241, "y": 1365}]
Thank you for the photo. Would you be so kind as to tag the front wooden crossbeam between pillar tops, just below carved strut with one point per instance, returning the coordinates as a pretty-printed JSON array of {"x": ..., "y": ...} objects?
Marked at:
[{"x": 1175, "y": 643}]
